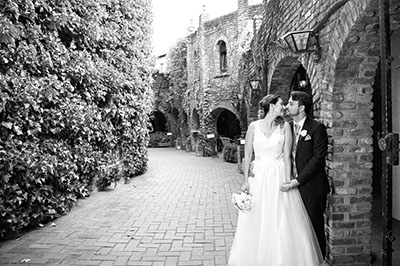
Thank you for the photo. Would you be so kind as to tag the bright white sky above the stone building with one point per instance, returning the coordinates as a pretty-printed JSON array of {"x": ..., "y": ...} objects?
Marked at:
[{"x": 173, "y": 17}]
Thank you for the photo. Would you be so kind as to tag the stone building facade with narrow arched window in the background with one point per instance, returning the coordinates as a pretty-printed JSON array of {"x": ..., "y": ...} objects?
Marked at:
[{"x": 209, "y": 86}]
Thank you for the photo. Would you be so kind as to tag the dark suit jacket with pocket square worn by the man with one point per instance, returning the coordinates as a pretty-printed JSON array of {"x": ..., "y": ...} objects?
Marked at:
[{"x": 310, "y": 159}]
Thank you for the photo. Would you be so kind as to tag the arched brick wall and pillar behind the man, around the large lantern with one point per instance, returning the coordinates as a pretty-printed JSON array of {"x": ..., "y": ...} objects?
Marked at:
[{"x": 342, "y": 92}]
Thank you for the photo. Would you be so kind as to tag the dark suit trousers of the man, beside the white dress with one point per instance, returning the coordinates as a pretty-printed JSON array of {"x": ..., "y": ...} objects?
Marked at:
[{"x": 316, "y": 207}]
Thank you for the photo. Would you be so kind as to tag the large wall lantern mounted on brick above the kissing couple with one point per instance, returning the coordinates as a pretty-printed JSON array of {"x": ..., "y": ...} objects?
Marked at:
[{"x": 305, "y": 41}]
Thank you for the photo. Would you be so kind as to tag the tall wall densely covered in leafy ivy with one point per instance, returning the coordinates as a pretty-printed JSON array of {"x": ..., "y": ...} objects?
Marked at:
[{"x": 74, "y": 94}]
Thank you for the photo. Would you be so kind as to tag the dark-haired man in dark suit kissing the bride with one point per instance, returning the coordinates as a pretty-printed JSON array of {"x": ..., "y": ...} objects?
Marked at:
[{"x": 310, "y": 145}]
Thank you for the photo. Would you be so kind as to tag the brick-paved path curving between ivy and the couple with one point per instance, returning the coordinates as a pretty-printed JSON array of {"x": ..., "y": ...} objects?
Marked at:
[{"x": 178, "y": 213}]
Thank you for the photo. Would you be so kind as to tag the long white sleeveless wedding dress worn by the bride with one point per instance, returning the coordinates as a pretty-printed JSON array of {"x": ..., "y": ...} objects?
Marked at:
[{"x": 277, "y": 231}]
